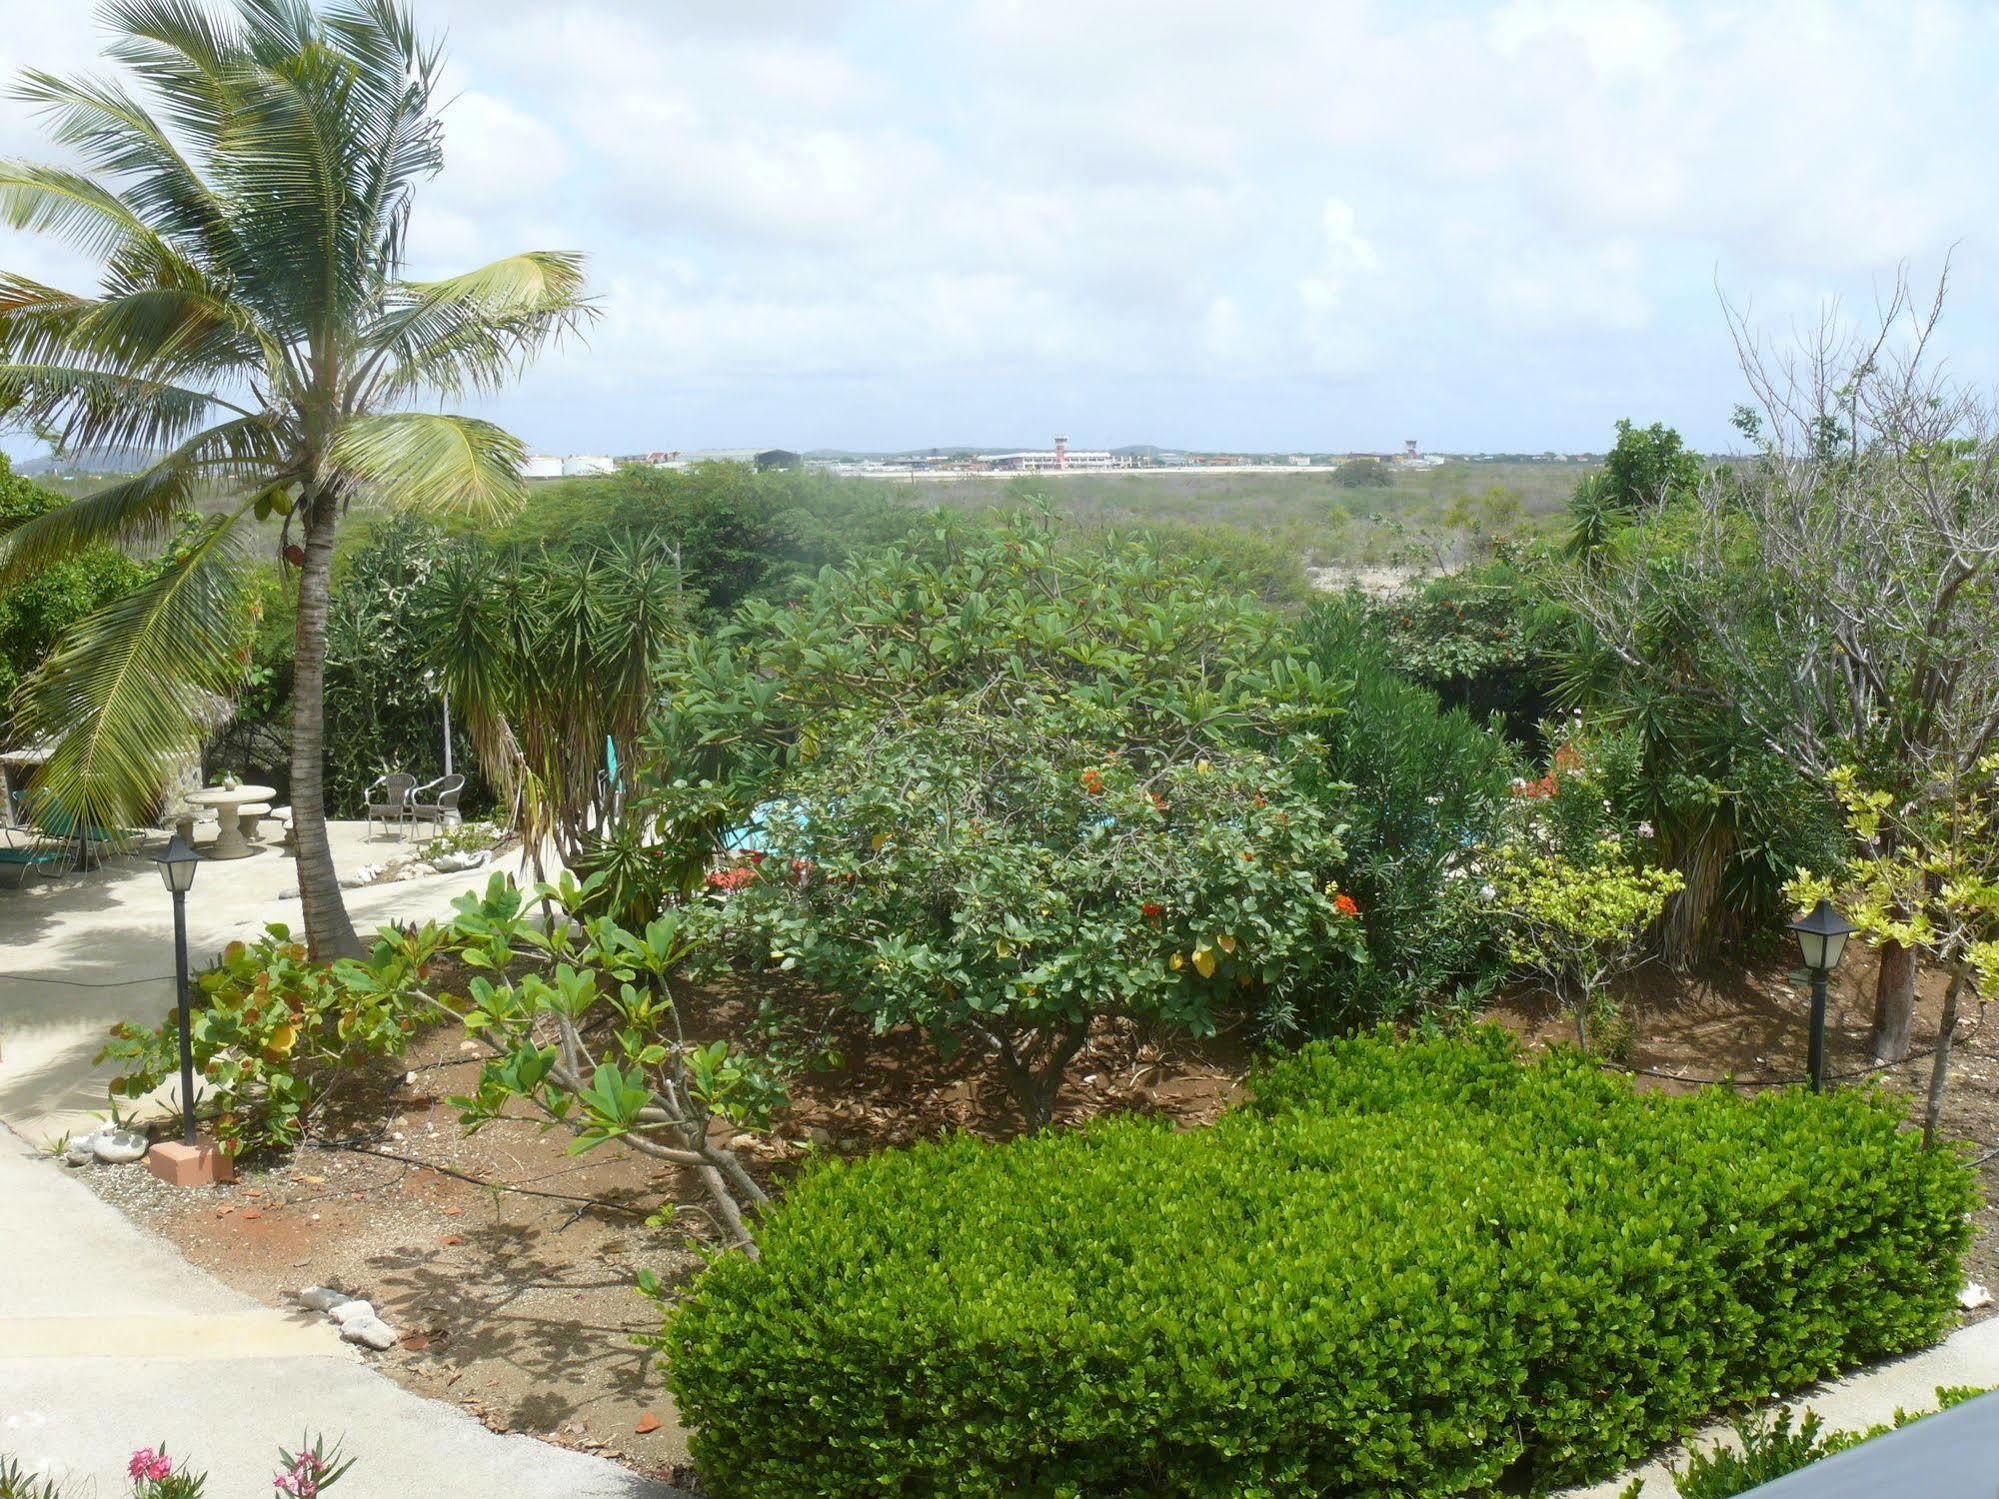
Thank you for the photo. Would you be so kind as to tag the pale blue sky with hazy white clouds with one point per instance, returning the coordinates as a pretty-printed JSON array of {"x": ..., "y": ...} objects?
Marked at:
[{"x": 1268, "y": 225}]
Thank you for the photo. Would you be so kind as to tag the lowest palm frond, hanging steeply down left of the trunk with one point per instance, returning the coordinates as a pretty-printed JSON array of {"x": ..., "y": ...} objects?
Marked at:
[{"x": 135, "y": 687}]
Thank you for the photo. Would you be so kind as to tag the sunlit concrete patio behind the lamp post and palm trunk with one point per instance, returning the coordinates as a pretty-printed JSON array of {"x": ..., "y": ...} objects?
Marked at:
[{"x": 85, "y": 952}]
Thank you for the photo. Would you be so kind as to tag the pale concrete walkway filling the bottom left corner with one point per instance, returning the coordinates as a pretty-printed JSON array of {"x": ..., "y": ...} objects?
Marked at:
[{"x": 111, "y": 1342}]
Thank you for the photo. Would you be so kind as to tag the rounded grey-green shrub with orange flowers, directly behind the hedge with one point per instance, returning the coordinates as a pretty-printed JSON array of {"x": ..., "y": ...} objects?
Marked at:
[{"x": 1002, "y": 882}]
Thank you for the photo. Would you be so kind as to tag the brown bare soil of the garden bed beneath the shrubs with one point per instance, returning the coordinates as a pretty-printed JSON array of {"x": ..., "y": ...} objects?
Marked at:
[{"x": 517, "y": 1298}]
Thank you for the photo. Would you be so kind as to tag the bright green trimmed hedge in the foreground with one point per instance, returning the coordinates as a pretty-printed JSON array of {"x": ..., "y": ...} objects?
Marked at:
[{"x": 1404, "y": 1270}]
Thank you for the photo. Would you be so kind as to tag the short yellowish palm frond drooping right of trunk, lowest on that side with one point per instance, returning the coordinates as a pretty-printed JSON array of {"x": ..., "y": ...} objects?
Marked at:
[{"x": 429, "y": 461}]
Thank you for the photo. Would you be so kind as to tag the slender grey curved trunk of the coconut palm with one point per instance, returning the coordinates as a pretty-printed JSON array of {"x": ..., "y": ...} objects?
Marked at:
[{"x": 329, "y": 928}]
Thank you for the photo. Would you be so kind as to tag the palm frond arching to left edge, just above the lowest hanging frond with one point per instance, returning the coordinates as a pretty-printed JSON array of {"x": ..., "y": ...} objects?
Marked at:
[{"x": 147, "y": 507}]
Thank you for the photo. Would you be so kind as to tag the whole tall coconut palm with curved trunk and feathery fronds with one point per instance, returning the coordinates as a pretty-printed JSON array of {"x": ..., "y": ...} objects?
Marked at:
[{"x": 257, "y": 331}]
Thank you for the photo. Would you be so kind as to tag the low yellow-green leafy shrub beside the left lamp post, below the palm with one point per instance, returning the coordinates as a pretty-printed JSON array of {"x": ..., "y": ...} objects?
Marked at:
[{"x": 273, "y": 1036}]
